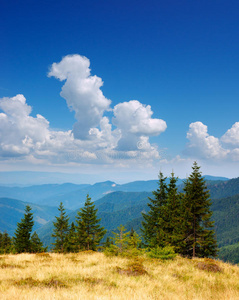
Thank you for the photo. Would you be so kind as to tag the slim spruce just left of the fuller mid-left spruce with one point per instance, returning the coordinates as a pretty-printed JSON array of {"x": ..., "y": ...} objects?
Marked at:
[{"x": 61, "y": 230}]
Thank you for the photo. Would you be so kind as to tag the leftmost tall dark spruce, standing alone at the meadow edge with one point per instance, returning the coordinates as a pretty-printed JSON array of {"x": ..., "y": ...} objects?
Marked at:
[{"x": 22, "y": 241}]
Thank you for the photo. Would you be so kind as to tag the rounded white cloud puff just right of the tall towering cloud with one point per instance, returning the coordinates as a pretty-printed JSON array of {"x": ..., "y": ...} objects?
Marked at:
[{"x": 134, "y": 121}]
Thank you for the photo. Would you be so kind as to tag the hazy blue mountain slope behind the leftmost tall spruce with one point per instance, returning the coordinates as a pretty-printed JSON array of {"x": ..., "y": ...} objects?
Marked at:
[{"x": 12, "y": 210}]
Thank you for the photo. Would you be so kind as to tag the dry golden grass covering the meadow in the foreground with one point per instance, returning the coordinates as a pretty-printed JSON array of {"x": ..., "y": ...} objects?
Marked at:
[{"x": 97, "y": 277}]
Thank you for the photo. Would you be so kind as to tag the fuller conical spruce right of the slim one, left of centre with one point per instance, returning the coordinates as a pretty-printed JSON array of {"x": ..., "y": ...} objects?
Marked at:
[{"x": 89, "y": 231}]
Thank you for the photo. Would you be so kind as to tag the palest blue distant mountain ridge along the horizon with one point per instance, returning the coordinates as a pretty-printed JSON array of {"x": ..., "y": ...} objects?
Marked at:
[{"x": 73, "y": 195}]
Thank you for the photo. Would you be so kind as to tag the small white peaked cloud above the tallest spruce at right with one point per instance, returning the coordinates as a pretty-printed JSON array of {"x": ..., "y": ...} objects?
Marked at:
[{"x": 203, "y": 145}]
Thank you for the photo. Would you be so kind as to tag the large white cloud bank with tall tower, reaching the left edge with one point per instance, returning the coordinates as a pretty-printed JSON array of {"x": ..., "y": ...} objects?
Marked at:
[{"x": 122, "y": 135}]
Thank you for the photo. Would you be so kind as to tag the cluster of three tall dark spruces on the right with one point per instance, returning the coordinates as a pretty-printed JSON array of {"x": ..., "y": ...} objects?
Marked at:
[{"x": 181, "y": 221}]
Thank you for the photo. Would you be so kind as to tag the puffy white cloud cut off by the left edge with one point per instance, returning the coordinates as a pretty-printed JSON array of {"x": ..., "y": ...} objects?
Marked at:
[{"x": 19, "y": 132}]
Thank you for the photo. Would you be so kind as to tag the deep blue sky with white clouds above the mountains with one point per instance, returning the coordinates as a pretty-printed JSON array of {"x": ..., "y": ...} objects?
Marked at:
[{"x": 119, "y": 89}]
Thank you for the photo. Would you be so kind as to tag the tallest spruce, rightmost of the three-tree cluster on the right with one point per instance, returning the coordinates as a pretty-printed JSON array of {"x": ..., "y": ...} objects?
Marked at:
[{"x": 199, "y": 236}]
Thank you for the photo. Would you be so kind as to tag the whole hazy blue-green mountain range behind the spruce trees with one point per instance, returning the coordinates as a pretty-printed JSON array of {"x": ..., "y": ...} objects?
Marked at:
[{"x": 116, "y": 204}]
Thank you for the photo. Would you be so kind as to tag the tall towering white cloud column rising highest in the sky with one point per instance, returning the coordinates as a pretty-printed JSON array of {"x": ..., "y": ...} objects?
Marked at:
[{"x": 82, "y": 93}]
